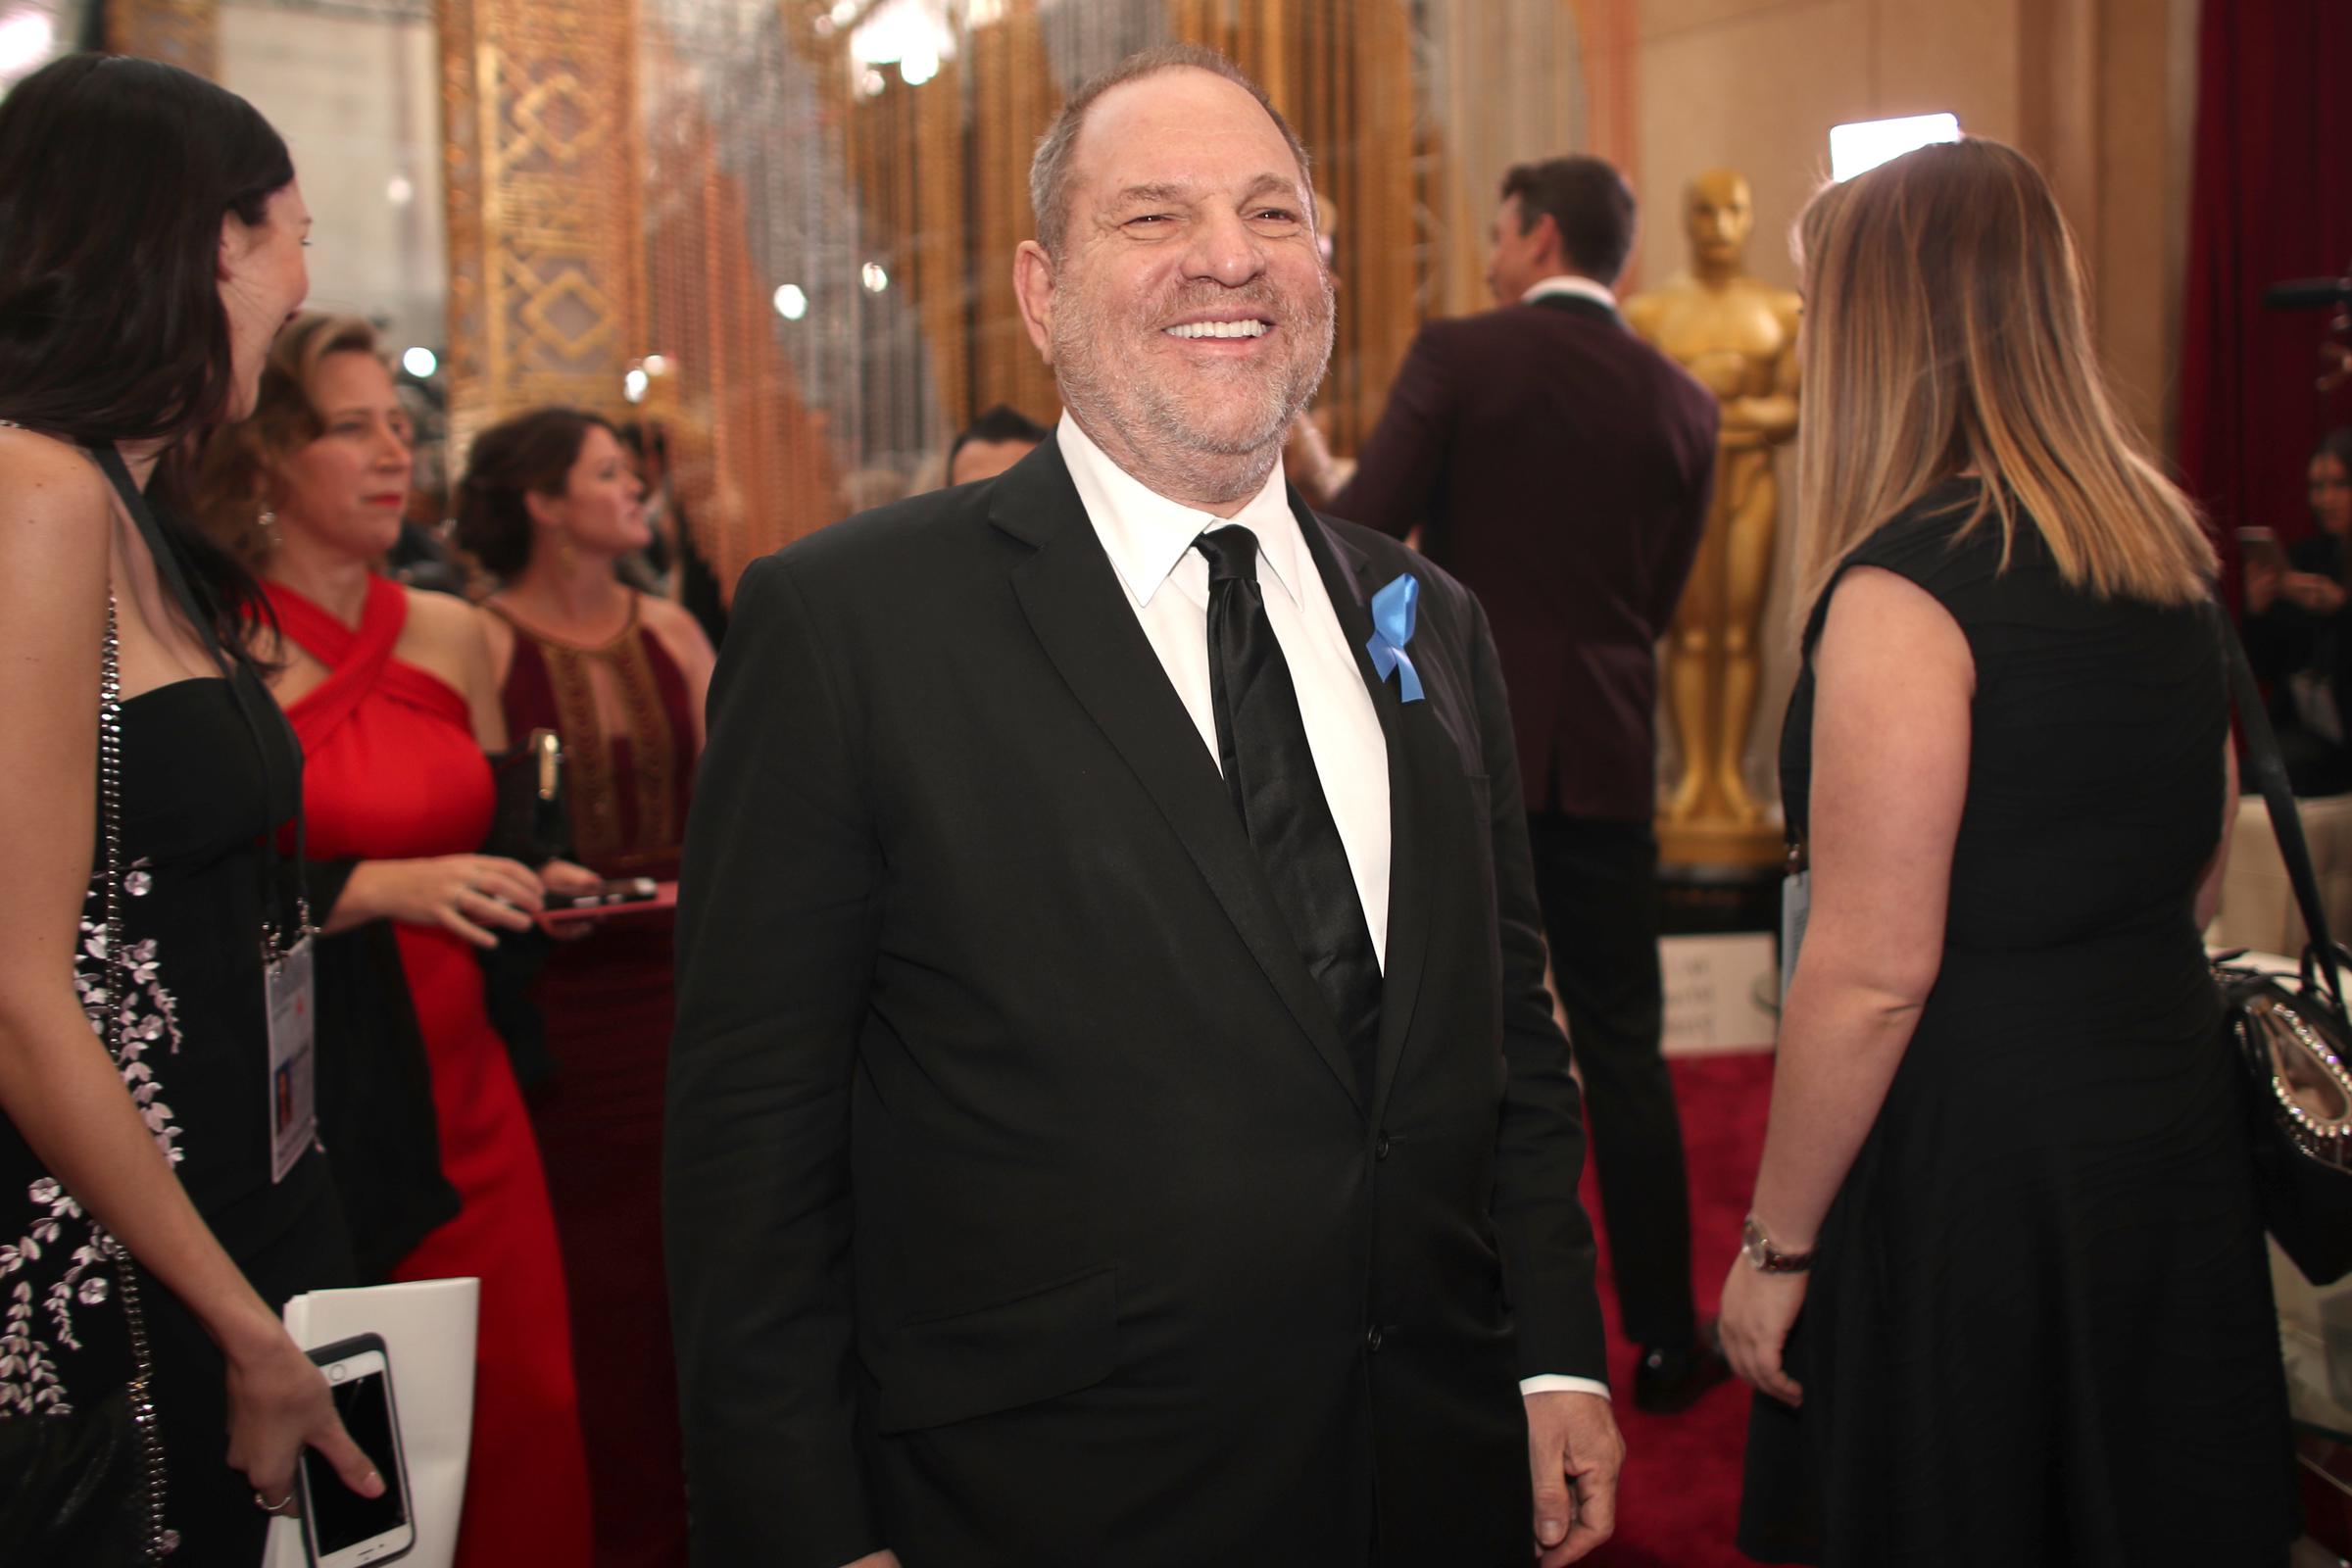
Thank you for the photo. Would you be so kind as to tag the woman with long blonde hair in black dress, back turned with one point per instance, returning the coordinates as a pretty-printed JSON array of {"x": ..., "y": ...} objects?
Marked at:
[{"x": 2005, "y": 1294}]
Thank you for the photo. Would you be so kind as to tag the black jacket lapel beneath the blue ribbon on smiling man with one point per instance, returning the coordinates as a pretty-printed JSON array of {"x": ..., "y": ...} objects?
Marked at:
[{"x": 1410, "y": 850}]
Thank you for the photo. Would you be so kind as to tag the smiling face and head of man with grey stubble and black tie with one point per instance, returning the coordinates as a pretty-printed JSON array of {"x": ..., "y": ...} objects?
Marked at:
[{"x": 1189, "y": 314}]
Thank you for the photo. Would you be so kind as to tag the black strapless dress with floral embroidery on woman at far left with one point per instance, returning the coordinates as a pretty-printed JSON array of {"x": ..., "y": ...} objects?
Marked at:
[{"x": 196, "y": 1061}]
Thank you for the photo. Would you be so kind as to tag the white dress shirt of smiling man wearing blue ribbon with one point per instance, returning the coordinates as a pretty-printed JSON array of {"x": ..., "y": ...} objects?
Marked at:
[{"x": 1168, "y": 584}]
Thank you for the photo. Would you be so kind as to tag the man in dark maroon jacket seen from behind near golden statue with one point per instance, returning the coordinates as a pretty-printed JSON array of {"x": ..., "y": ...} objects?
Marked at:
[{"x": 1561, "y": 469}]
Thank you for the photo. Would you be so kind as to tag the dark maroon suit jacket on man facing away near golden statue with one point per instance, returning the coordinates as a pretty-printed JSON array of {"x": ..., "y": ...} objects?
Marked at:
[{"x": 1561, "y": 469}]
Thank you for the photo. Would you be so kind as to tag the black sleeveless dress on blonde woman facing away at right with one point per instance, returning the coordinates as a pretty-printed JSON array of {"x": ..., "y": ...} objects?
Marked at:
[{"x": 2040, "y": 1325}]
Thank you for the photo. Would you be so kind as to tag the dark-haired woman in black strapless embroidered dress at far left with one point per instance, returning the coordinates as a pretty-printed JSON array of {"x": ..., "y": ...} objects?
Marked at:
[{"x": 152, "y": 1405}]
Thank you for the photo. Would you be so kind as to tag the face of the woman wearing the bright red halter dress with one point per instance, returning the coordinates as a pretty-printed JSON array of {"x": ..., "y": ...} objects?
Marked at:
[{"x": 349, "y": 485}]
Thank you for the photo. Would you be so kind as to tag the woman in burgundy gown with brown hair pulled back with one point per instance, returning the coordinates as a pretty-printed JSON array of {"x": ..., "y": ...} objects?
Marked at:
[{"x": 552, "y": 504}]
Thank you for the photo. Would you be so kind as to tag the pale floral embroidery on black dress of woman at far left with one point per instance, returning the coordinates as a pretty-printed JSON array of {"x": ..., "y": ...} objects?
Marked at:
[{"x": 36, "y": 1320}]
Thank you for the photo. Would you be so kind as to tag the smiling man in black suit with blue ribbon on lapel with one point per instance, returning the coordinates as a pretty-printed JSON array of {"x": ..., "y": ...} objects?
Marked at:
[{"x": 1114, "y": 1111}]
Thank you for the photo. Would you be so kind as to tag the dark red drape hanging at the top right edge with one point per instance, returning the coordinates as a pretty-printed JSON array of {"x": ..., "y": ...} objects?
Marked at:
[{"x": 2273, "y": 201}]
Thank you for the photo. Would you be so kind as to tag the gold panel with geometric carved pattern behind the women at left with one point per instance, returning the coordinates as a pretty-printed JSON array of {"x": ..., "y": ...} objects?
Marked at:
[{"x": 542, "y": 185}]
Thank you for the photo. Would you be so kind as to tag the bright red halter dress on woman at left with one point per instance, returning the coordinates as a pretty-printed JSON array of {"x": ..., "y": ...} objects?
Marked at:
[{"x": 392, "y": 775}]
